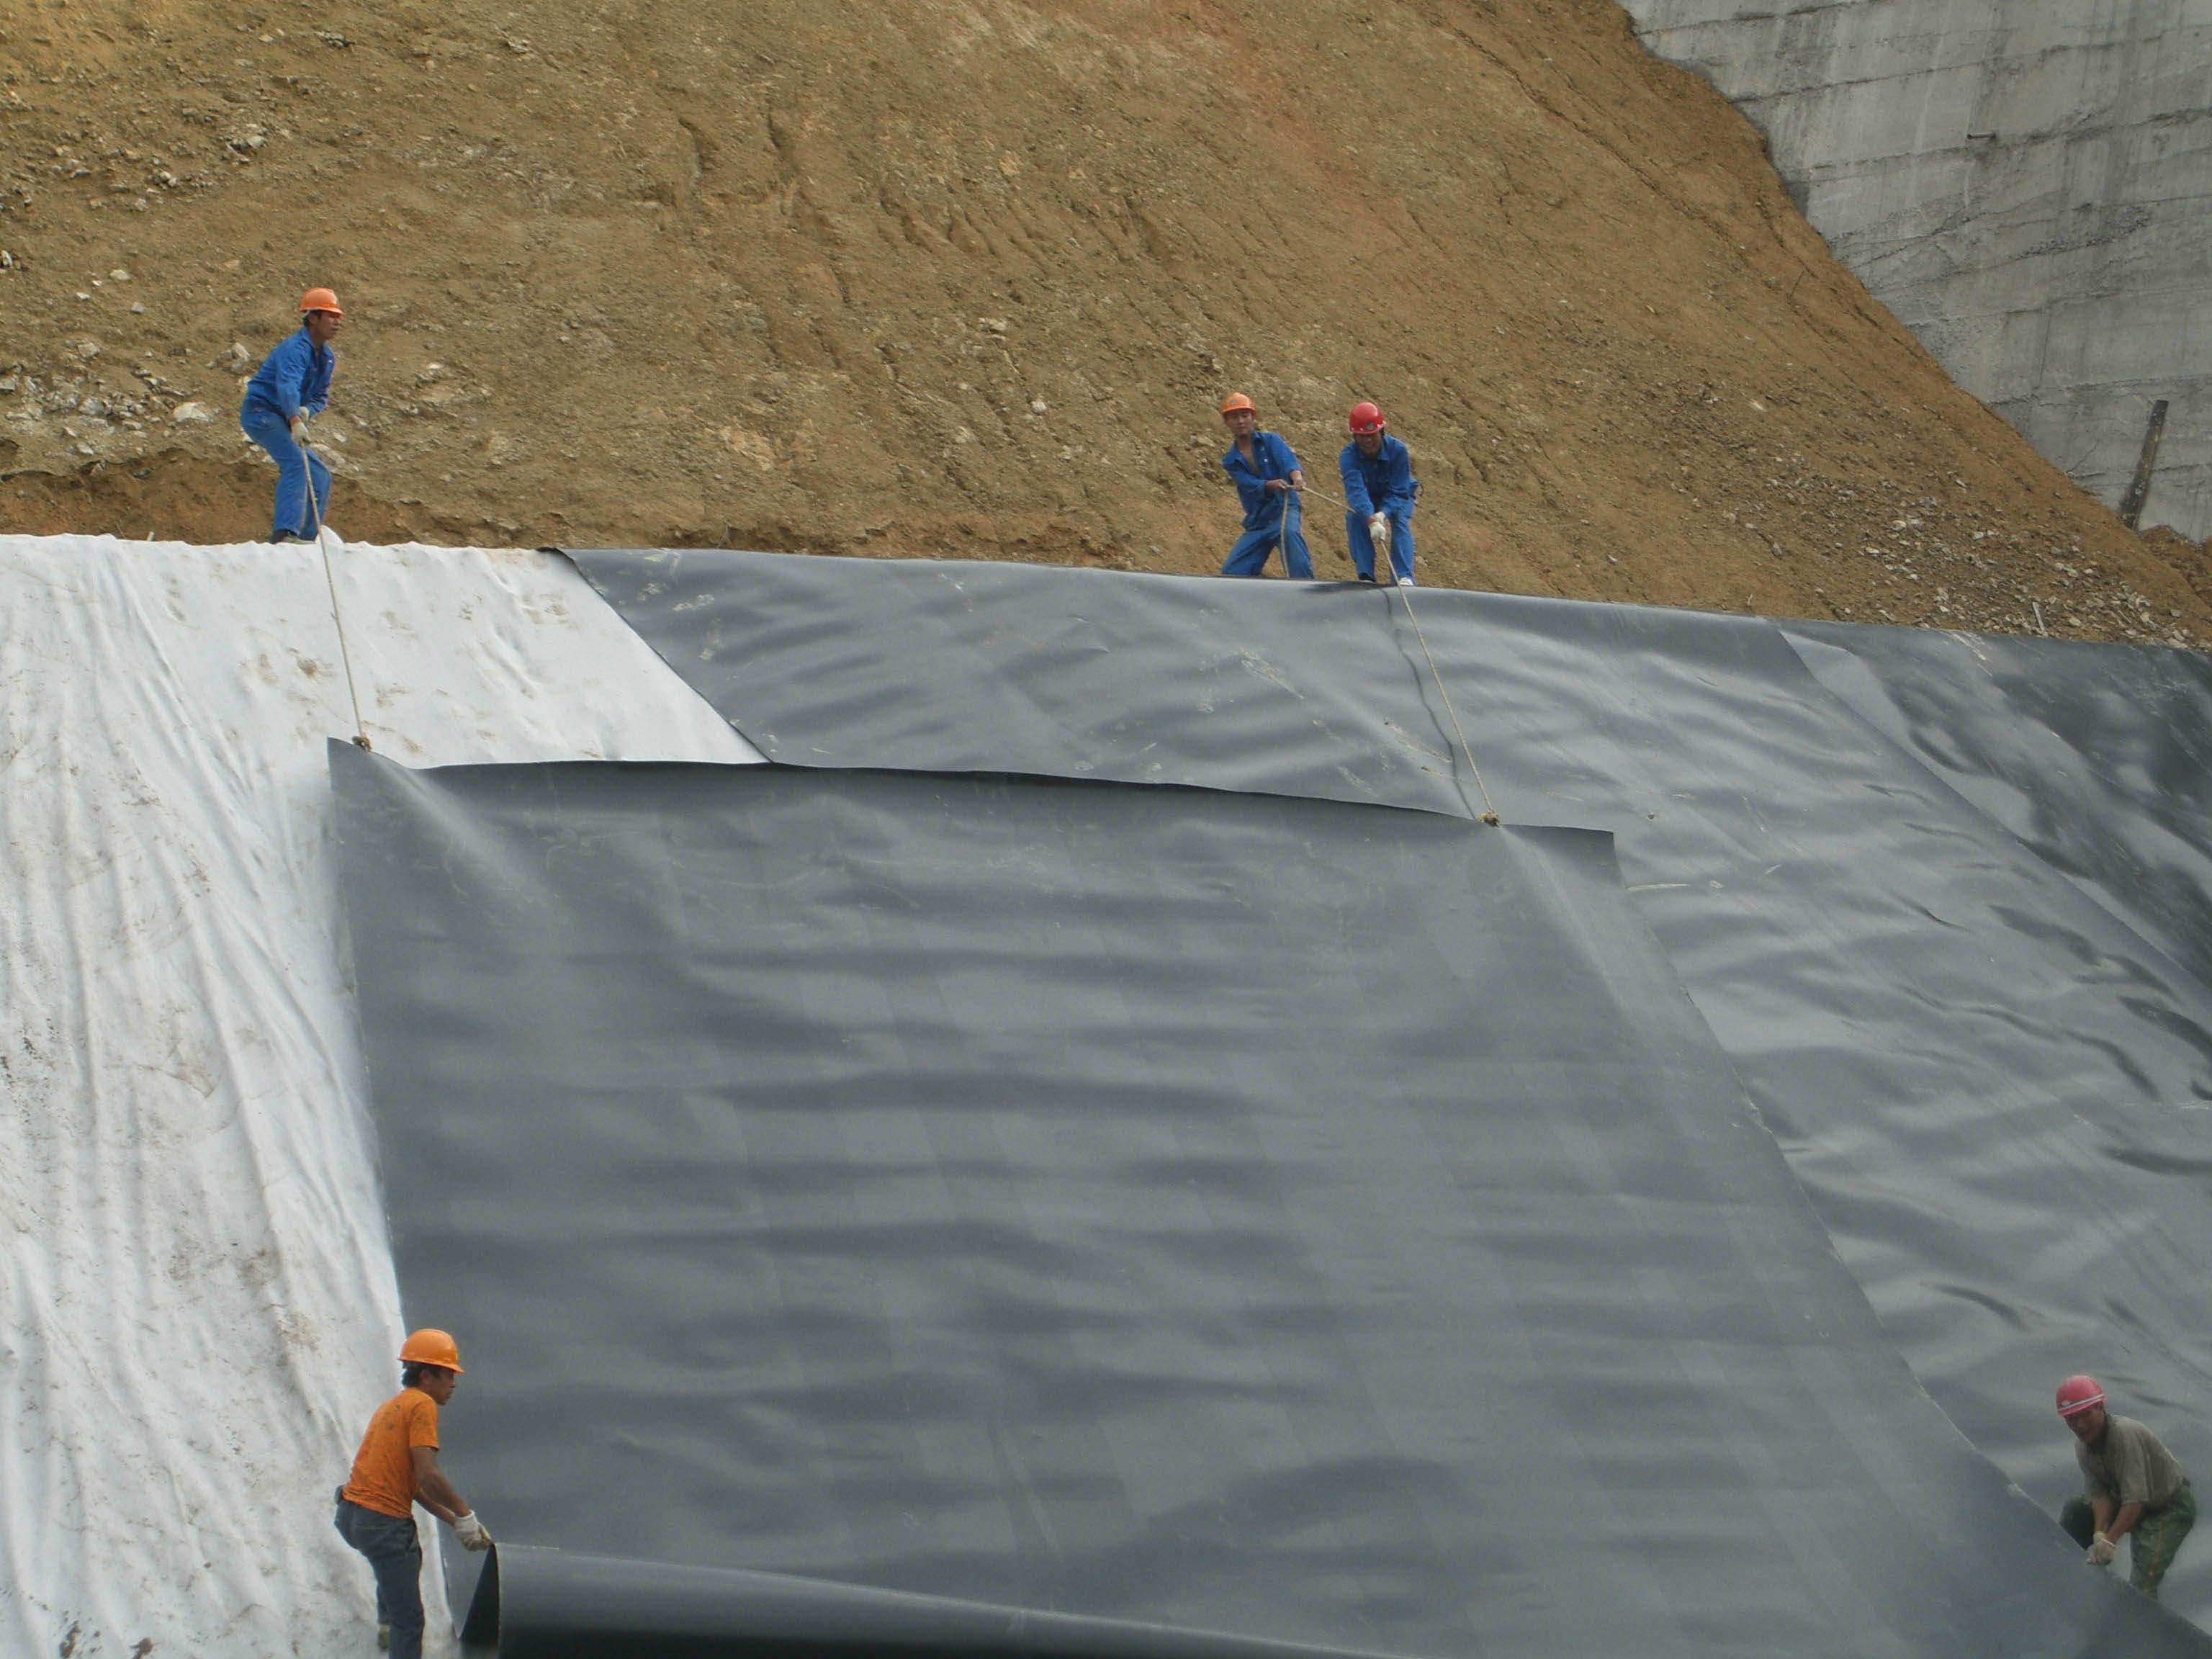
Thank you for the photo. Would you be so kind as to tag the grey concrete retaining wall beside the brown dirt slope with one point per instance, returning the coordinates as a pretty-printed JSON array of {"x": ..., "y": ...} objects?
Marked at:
[{"x": 2025, "y": 182}]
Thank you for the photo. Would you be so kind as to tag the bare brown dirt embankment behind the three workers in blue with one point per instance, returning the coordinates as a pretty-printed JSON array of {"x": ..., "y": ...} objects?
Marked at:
[{"x": 972, "y": 280}]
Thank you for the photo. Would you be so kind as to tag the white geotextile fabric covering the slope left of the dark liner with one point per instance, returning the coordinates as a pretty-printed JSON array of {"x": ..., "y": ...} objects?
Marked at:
[{"x": 198, "y": 1295}]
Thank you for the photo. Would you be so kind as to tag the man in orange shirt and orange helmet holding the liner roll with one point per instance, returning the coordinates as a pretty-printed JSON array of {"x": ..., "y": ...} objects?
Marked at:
[{"x": 397, "y": 1470}]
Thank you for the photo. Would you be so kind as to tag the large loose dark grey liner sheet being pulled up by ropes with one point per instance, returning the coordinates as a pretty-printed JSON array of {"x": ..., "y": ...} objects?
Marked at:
[{"x": 1246, "y": 1218}]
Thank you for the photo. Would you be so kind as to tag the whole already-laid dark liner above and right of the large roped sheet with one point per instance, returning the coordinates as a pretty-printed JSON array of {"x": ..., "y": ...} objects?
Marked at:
[{"x": 1930, "y": 926}]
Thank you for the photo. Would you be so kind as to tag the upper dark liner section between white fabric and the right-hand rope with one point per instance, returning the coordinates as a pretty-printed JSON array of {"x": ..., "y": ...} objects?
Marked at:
[{"x": 1269, "y": 687}]
